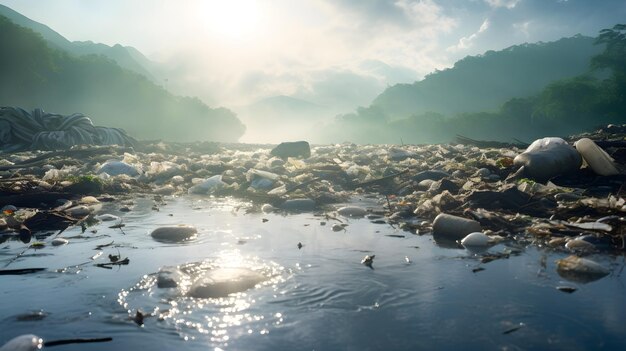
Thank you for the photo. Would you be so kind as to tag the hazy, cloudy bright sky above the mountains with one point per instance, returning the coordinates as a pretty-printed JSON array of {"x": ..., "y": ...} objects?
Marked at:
[{"x": 339, "y": 53}]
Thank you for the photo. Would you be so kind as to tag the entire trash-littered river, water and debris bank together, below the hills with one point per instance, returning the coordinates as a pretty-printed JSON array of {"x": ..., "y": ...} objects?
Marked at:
[{"x": 335, "y": 247}]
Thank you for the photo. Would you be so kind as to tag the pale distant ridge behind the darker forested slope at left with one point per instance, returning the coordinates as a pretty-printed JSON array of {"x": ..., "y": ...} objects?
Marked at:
[{"x": 125, "y": 56}]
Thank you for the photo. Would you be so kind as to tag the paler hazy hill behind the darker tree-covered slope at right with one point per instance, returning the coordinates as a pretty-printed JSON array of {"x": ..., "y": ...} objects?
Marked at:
[{"x": 483, "y": 83}]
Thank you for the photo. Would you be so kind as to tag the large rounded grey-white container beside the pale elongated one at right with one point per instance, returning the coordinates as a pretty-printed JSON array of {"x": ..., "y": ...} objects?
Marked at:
[{"x": 547, "y": 158}]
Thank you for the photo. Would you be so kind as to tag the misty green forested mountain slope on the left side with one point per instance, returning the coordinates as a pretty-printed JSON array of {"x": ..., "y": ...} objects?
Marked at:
[{"x": 36, "y": 75}]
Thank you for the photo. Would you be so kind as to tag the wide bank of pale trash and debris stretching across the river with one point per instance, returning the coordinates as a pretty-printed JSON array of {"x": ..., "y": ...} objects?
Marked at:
[{"x": 565, "y": 194}]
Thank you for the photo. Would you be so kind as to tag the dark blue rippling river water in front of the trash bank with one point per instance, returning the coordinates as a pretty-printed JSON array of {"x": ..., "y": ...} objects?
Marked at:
[{"x": 417, "y": 295}]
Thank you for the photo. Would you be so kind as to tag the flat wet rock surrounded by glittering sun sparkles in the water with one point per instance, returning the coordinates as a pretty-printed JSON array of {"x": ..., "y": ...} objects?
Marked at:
[{"x": 221, "y": 282}]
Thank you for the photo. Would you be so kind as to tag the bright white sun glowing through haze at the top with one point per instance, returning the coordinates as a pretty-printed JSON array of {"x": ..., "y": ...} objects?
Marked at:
[{"x": 229, "y": 19}]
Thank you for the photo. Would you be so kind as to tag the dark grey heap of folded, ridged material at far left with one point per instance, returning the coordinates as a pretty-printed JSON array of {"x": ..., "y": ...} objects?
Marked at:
[{"x": 21, "y": 130}]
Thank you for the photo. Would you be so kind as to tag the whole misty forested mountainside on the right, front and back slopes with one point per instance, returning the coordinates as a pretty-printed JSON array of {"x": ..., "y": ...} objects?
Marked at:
[{"x": 595, "y": 96}]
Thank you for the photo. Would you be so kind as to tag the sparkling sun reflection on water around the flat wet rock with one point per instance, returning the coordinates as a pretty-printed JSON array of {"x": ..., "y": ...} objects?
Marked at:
[{"x": 218, "y": 319}]
